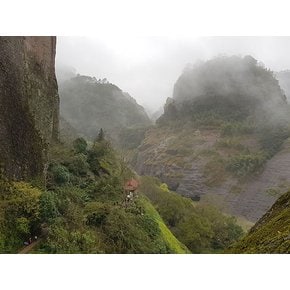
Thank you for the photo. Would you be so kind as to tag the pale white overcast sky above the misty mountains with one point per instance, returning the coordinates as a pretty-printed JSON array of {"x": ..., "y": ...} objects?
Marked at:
[{"x": 148, "y": 67}]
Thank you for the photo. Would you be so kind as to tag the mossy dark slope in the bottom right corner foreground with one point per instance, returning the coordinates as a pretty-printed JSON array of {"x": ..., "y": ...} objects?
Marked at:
[{"x": 271, "y": 234}]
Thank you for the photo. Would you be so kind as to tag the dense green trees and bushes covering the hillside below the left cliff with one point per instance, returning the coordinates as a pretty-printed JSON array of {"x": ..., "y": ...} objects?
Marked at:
[{"x": 83, "y": 208}]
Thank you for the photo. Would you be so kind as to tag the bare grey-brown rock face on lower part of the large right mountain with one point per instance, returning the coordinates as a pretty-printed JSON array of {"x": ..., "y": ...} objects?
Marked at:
[{"x": 180, "y": 159}]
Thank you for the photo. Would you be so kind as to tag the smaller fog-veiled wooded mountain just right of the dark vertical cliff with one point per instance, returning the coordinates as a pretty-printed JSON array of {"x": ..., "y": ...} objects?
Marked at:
[{"x": 89, "y": 104}]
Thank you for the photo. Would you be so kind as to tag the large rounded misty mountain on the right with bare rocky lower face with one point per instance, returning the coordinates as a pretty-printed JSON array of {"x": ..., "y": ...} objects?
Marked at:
[{"x": 220, "y": 138}]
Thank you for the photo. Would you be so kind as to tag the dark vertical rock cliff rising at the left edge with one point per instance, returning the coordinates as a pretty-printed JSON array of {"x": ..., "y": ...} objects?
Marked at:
[{"x": 29, "y": 104}]
